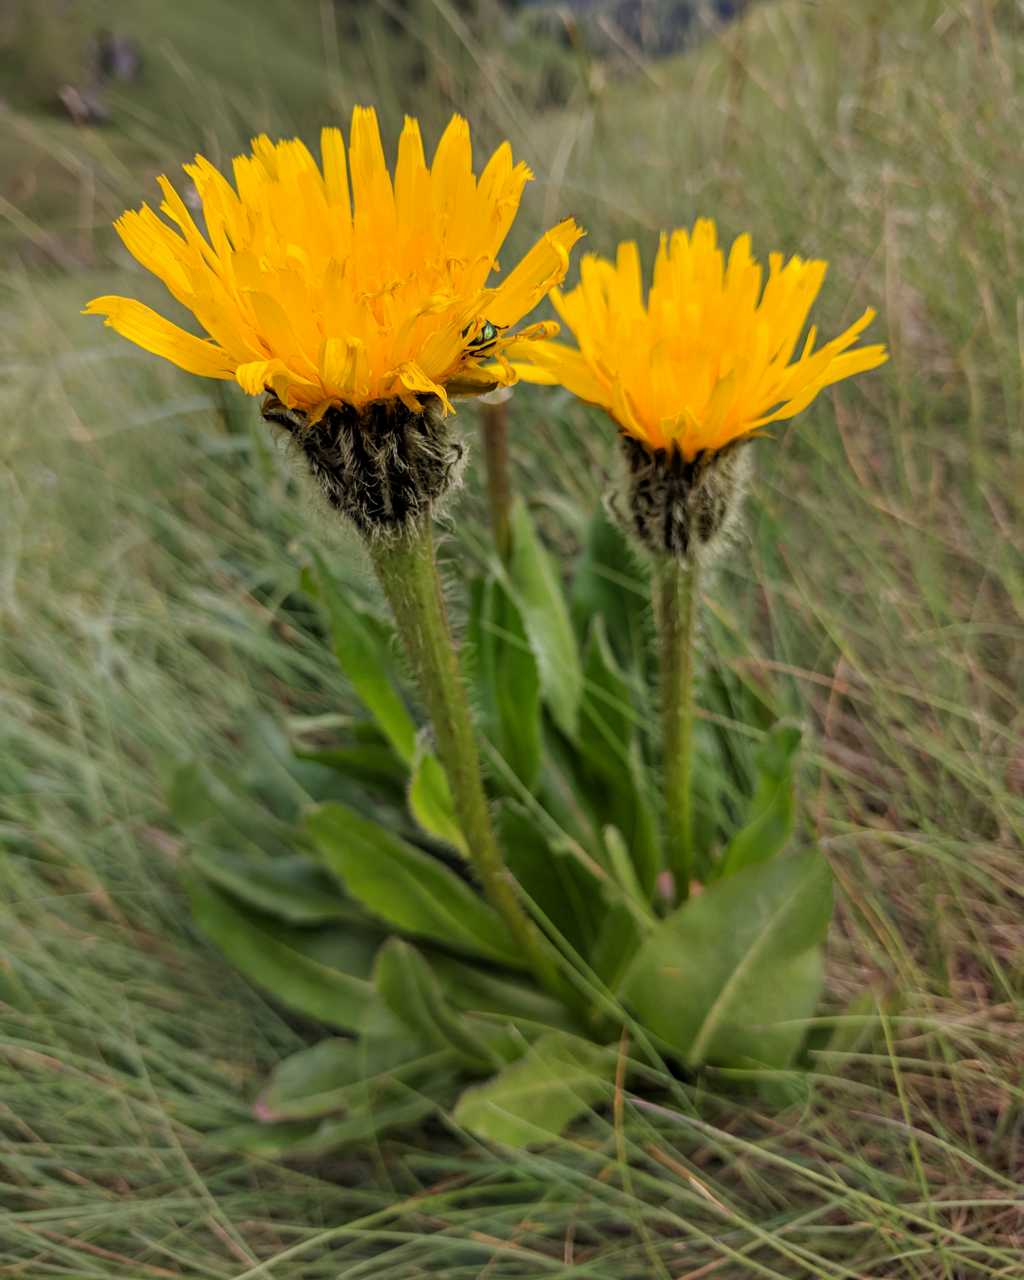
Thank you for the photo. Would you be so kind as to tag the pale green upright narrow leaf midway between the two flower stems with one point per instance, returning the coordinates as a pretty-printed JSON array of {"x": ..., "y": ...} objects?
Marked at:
[{"x": 538, "y": 593}]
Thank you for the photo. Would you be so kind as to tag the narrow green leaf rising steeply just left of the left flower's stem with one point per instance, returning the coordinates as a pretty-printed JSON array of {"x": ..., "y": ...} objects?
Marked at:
[{"x": 365, "y": 662}]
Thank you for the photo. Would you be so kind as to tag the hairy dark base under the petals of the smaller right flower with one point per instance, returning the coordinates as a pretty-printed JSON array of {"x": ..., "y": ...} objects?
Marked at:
[{"x": 679, "y": 508}]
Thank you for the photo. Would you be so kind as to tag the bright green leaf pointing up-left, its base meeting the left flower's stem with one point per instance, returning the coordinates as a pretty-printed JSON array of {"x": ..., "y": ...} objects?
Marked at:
[{"x": 406, "y": 888}]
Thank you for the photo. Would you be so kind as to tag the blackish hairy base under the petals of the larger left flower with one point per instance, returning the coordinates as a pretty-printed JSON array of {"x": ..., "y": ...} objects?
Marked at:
[{"x": 382, "y": 465}]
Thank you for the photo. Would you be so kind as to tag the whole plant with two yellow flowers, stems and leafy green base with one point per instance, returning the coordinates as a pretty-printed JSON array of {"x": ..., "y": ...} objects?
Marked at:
[{"x": 490, "y": 908}]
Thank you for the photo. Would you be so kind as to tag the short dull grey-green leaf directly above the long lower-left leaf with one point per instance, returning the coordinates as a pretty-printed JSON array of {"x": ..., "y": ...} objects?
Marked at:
[{"x": 294, "y": 889}]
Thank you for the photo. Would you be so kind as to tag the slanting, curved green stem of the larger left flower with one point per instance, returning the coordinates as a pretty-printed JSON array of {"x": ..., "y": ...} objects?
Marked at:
[{"x": 409, "y": 573}]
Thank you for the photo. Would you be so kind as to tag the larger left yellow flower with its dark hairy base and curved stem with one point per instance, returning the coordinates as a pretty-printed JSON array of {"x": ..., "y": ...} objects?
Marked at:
[{"x": 362, "y": 303}]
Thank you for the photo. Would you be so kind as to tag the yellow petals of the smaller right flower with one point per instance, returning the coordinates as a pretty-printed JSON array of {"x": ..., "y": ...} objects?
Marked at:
[{"x": 710, "y": 359}]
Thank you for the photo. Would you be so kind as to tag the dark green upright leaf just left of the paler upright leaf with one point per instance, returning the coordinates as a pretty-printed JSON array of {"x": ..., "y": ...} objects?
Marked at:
[{"x": 508, "y": 679}]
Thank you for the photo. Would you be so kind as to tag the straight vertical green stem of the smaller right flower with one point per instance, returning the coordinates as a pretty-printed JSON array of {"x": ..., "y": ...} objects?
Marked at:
[{"x": 675, "y": 605}]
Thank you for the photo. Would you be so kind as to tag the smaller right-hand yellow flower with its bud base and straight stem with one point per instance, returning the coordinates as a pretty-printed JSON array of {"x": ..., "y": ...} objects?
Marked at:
[{"x": 712, "y": 356}]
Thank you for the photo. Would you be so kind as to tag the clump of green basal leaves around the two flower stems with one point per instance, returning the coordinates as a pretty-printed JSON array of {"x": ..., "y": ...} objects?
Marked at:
[{"x": 336, "y": 879}]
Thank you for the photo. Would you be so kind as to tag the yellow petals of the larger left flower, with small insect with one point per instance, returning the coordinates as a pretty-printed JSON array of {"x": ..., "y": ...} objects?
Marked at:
[{"x": 333, "y": 285}]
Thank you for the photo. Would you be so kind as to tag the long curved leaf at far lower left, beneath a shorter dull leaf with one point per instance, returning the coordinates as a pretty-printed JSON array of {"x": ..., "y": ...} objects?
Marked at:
[{"x": 273, "y": 958}]
